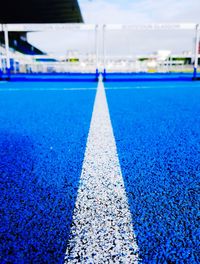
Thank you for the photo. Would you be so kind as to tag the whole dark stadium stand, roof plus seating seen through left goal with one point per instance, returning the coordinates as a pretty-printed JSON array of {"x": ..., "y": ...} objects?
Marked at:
[{"x": 36, "y": 11}]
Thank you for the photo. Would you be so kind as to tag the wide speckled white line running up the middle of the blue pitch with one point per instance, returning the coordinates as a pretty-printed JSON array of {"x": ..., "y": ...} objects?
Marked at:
[{"x": 102, "y": 230}]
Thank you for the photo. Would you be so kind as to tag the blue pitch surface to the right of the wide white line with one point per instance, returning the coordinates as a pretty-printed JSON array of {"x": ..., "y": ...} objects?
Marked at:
[{"x": 157, "y": 131}]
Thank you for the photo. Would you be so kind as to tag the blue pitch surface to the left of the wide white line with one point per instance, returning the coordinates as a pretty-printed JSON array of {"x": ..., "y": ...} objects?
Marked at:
[{"x": 43, "y": 133}]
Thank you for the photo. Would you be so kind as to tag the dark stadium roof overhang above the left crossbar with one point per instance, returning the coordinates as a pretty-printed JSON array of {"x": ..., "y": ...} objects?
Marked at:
[{"x": 40, "y": 11}]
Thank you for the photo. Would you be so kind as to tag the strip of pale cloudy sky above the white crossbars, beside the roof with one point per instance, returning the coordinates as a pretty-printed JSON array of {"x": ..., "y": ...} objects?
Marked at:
[{"x": 140, "y": 11}]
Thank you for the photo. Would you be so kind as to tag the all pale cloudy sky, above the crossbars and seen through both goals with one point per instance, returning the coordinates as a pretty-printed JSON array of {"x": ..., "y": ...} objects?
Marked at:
[{"x": 126, "y": 12}]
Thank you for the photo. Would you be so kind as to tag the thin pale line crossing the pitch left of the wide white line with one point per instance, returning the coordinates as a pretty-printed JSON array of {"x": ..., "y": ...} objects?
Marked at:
[{"x": 43, "y": 89}]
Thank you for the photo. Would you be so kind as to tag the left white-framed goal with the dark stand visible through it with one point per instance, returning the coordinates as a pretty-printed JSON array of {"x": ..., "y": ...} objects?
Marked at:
[{"x": 77, "y": 48}]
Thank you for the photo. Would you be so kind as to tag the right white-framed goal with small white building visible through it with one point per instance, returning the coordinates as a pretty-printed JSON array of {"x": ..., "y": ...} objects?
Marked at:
[{"x": 151, "y": 48}]
